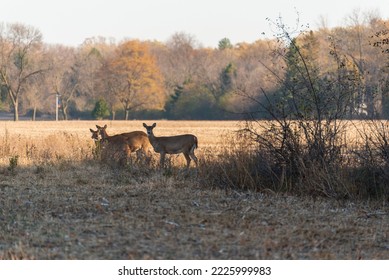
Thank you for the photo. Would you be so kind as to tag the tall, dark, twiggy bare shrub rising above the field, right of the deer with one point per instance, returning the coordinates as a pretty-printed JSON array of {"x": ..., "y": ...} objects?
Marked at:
[{"x": 304, "y": 135}]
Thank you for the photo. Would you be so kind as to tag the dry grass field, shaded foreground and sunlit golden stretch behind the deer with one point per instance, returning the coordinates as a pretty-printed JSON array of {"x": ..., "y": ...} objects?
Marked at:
[{"x": 58, "y": 202}]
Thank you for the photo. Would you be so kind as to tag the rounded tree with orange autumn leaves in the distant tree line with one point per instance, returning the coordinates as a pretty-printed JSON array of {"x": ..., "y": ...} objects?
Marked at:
[{"x": 134, "y": 78}]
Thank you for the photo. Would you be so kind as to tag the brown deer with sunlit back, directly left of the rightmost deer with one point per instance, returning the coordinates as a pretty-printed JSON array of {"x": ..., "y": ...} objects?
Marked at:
[{"x": 137, "y": 141}]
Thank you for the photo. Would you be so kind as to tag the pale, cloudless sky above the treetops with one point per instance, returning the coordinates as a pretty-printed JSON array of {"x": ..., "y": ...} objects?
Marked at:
[{"x": 70, "y": 22}]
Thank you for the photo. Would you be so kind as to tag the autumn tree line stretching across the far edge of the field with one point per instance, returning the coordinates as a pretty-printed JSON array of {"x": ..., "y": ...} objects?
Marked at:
[{"x": 180, "y": 79}]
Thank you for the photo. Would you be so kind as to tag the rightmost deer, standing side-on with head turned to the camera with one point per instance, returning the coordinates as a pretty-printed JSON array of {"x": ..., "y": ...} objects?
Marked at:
[{"x": 185, "y": 144}]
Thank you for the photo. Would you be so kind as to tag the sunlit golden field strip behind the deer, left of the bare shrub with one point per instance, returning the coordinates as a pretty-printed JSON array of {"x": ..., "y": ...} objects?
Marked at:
[{"x": 37, "y": 141}]
